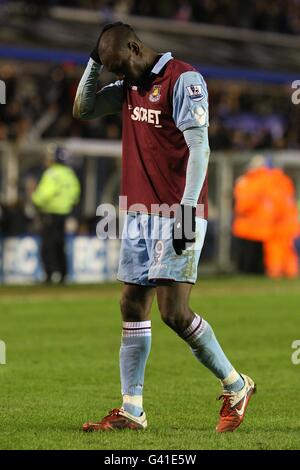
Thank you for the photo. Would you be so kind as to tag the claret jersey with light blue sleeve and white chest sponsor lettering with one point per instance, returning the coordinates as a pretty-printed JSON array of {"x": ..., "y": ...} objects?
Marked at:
[{"x": 155, "y": 114}]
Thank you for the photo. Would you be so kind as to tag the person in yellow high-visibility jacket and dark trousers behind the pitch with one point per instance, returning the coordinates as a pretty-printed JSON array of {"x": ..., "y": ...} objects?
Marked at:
[{"x": 55, "y": 196}]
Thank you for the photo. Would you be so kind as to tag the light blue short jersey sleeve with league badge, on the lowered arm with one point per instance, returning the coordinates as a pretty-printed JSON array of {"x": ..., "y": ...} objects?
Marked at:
[{"x": 190, "y": 101}]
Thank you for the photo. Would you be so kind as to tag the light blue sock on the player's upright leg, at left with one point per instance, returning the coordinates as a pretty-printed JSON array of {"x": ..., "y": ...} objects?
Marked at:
[{"x": 134, "y": 352}]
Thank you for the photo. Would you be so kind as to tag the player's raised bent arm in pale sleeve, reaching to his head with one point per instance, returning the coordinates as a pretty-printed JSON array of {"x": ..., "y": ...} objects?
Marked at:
[{"x": 89, "y": 102}]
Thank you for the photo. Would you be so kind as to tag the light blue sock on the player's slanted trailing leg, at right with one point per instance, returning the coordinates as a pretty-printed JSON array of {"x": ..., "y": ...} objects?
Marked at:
[{"x": 206, "y": 348}]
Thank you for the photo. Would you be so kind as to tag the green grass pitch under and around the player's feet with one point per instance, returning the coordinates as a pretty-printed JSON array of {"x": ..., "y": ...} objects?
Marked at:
[{"x": 62, "y": 368}]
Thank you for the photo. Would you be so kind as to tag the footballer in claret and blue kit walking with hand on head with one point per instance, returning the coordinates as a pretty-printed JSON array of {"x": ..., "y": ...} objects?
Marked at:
[{"x": 164, "y": 105}]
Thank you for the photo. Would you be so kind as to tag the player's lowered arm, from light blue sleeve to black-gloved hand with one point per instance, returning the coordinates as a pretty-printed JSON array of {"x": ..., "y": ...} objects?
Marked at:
[{"x": 190, "y": 105}]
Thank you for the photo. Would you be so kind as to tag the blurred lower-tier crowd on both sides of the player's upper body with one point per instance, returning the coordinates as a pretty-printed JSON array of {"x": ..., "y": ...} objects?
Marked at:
[{"x": 243, "y": 118}]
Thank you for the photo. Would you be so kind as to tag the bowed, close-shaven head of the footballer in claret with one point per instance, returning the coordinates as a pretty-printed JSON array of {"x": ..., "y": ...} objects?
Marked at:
[{"x": 122, "y": 52}]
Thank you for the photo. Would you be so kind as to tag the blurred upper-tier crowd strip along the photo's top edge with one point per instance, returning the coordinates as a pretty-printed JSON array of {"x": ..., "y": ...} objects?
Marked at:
[{"x": 263, "y": 15}]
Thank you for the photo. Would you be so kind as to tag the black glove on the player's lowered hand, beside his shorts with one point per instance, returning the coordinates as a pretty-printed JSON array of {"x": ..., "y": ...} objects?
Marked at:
[{"x": 184, "y": 228}]
